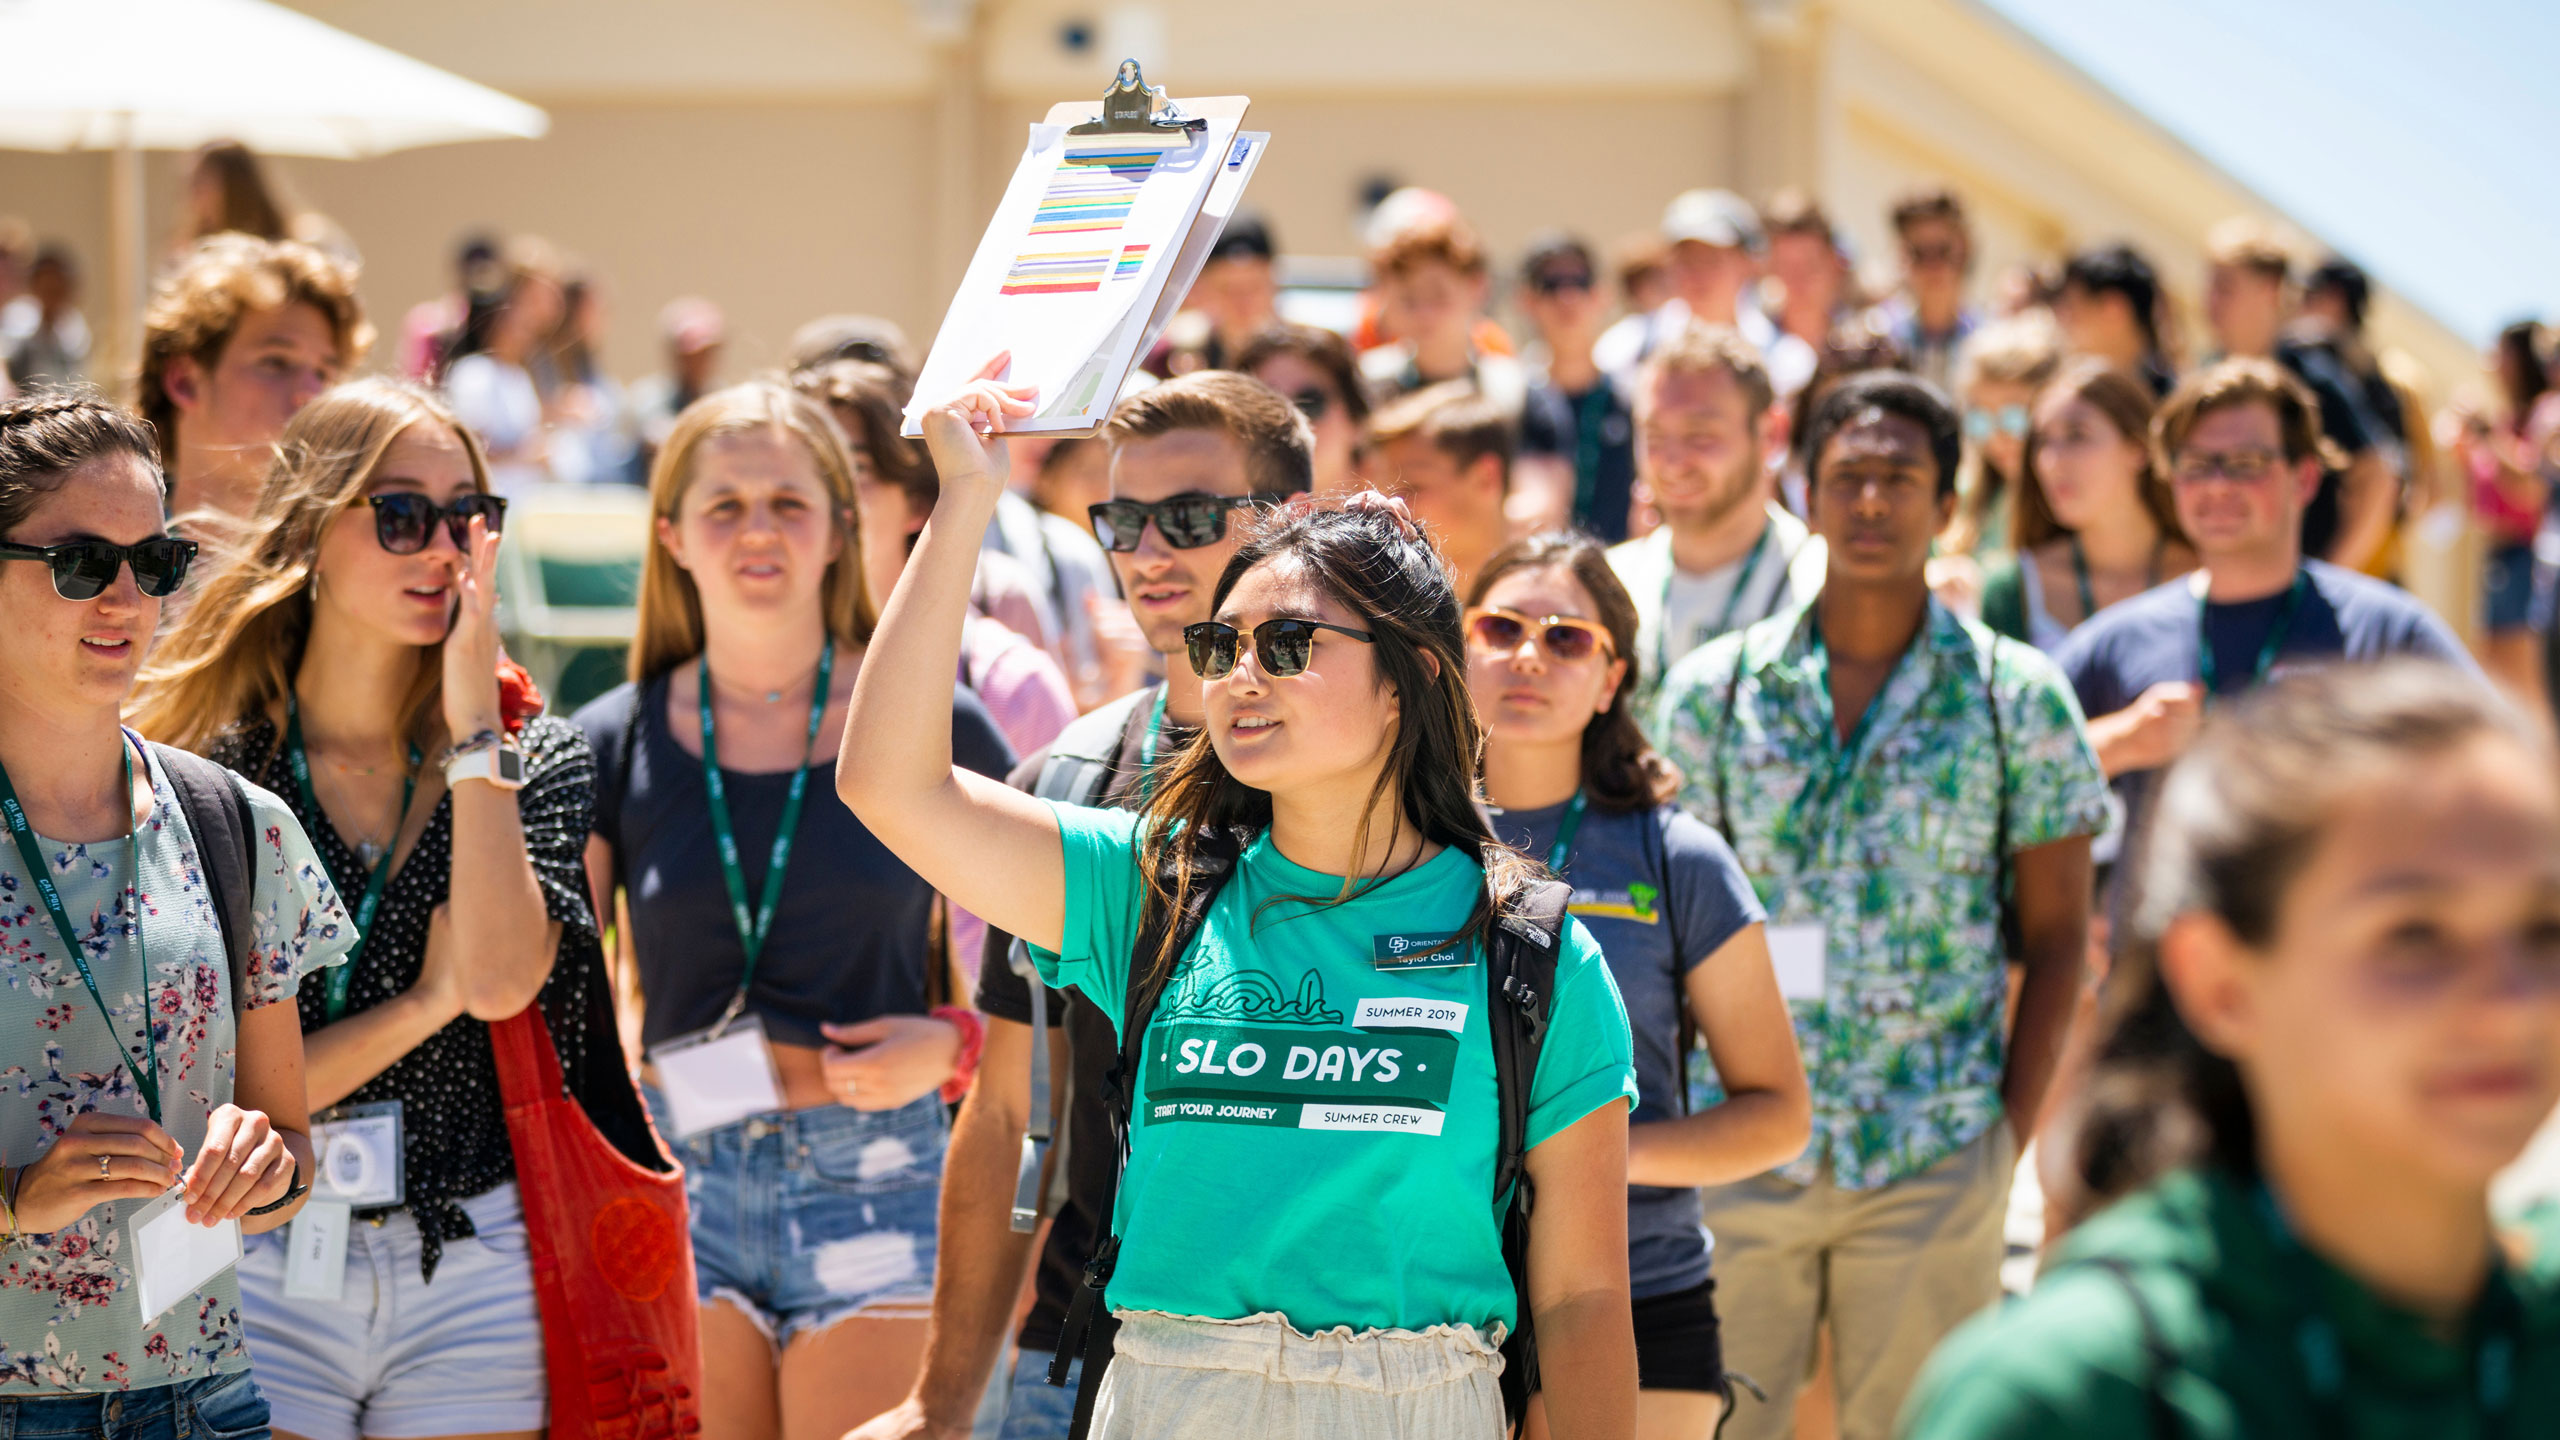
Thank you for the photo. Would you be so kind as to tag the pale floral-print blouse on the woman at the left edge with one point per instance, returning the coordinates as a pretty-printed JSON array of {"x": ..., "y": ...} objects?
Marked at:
[{"x": 70, "y": 1308}]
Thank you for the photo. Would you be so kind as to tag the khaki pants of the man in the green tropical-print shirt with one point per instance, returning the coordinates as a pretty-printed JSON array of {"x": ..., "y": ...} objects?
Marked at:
[{"x": 1891, "y": 1270}]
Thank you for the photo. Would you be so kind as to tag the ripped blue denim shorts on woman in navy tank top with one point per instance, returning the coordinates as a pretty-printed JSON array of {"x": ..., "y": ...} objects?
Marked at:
[{"x": 810, "y": 1216}]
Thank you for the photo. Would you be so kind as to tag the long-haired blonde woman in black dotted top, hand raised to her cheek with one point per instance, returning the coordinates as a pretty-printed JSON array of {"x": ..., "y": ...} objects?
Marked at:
[{"x": 347, "y": 657}]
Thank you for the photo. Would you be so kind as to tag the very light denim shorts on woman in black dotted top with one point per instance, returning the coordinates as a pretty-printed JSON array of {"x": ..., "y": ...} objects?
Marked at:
[{"x": 396, "y": 1357}]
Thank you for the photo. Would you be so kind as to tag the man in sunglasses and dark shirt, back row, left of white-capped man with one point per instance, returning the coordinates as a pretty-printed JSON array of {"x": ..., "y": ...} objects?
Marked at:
[{"x": 1578, "y": 429}]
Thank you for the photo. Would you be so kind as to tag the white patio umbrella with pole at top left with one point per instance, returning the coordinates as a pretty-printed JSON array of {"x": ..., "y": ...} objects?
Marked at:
[{"x": 165, "y": 76}]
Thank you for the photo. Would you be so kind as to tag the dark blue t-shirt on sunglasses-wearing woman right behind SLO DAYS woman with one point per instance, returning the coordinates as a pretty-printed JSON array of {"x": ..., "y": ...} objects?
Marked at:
[{"x": 1660, "y": 893}]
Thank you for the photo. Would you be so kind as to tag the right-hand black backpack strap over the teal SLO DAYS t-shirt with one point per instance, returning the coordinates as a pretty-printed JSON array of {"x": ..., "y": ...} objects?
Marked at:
[{"x": 1519, "y": 985}]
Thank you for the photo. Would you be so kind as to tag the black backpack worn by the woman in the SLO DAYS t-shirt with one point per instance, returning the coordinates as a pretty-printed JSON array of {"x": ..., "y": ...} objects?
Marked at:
[{"x": 1519, "y": 985}]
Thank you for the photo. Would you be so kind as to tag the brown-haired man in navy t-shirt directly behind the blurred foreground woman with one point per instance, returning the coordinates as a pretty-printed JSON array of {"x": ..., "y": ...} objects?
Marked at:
[{"x": 2244, "y": 455}]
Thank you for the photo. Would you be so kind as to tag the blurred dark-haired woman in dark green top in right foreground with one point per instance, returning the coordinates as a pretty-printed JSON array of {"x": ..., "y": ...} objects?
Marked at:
[{"x": 2336, "y": 1021}]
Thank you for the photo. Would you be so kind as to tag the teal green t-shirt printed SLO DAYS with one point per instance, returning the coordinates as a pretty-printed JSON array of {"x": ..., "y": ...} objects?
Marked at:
[{"x": 1315, "y": 1124}]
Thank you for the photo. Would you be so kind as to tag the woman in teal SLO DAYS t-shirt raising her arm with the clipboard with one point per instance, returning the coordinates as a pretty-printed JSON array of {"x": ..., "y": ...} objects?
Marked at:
[{"x": 1307, "y": 1236}]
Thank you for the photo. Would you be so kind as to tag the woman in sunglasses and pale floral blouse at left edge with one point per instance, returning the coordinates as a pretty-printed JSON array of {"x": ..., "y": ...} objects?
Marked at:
[{"x": 145, "y": 1049}]
